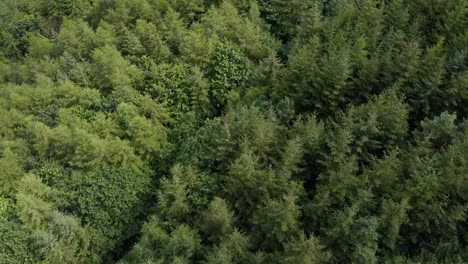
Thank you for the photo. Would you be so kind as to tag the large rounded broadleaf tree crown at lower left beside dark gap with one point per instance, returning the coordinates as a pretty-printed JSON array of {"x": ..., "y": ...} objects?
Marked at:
[{"x": 110, "y": 201}]
